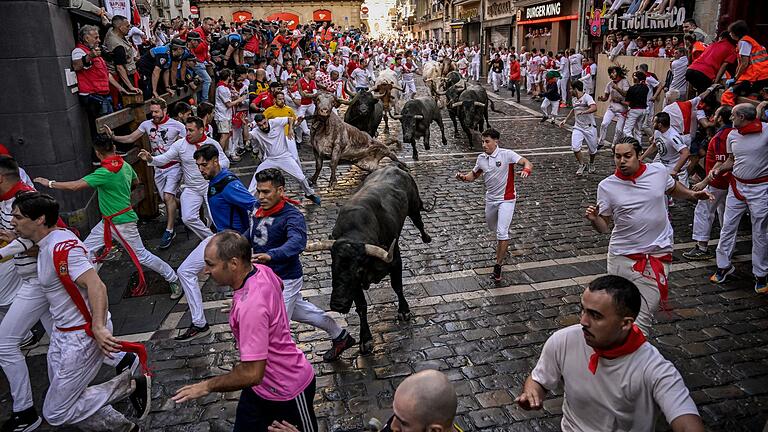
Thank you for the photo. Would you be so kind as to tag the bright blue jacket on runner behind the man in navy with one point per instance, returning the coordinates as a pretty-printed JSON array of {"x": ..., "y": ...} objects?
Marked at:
[{"x": 230, "y": 202}]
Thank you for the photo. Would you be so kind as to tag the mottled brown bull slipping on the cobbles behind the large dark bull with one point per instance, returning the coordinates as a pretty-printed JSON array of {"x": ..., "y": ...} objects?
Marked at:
[{"x": 335, "y": 140}]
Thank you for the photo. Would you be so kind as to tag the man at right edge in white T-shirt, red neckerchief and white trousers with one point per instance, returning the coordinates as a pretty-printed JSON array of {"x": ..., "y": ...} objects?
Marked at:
[{"x": 747, "y": 160}]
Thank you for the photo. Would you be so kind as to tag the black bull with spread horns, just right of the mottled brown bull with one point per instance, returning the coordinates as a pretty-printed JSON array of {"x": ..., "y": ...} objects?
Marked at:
[{"x": 416, "y": 117}]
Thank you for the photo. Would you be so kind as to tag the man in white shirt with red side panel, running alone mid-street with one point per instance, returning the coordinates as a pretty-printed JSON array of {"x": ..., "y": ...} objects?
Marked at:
[{"x": 497, "y": 166}]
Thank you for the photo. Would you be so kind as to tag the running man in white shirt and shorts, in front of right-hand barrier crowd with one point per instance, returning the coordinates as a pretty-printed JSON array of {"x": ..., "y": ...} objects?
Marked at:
[{"x": 584, "y": 108}]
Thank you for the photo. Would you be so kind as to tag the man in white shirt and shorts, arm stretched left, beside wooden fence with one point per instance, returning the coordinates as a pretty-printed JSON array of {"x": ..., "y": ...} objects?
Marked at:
[{"x": 162, "y": 132}]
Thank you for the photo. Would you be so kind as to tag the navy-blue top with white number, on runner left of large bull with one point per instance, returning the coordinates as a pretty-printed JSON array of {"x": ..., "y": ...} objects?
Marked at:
[{"x": 282, "y": 236}]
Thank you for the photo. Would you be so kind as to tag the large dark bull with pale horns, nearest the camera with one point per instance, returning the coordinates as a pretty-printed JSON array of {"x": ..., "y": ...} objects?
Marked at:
[{"x": 364, "y": 248}]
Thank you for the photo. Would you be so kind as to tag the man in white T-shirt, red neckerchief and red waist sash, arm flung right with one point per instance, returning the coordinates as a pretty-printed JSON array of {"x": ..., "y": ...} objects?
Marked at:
[{"x": 634, "y": 198}]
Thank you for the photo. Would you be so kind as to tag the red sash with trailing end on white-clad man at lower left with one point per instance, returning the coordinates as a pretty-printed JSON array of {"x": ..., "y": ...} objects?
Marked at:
[{"x": 60, "y": 256}]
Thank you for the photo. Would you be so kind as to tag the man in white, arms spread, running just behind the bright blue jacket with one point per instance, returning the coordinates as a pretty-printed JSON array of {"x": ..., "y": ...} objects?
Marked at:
[{"x": 193, "y": 195}]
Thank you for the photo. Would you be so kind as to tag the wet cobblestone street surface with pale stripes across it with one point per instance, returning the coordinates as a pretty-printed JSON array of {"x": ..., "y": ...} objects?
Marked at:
[{"x": 485, "y": 336}]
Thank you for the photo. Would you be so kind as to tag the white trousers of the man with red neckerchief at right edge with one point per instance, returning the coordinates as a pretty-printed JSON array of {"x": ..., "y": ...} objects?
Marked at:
[{"x": 757, "y": 203}]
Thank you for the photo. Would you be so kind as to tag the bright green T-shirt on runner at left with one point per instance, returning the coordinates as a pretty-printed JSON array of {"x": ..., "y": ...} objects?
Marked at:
[{"x": 114, "y": 191}]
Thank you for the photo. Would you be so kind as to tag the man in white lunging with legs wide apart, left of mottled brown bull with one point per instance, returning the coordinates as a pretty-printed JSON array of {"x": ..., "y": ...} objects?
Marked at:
[{"x": 272, "y": 136}]
